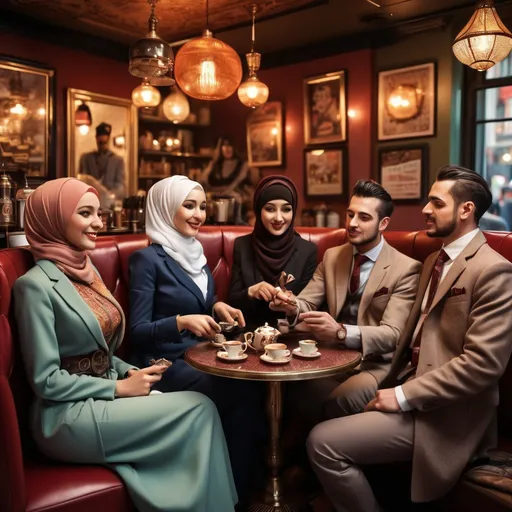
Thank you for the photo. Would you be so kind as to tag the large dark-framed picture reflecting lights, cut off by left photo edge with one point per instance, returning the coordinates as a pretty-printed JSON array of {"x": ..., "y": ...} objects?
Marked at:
[{"x": 27, "y": 117}]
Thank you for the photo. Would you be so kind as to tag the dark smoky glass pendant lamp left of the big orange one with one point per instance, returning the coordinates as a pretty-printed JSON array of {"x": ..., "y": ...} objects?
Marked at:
[{"x": 151, "y": 57}]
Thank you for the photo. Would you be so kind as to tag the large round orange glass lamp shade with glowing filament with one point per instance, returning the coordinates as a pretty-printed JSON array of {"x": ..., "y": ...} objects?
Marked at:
[{"x": 208, "y": 69}]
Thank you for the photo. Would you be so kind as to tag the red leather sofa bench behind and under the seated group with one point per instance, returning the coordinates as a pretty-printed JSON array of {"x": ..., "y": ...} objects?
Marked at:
[{"x": 29, "y": 482}]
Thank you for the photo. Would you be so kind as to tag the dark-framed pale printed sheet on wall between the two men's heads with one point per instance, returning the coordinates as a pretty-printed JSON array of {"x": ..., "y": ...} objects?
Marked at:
[{"x": 403, "y": 172}]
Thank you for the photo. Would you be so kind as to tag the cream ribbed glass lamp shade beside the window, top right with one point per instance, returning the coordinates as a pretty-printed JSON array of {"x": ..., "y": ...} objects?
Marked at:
[{"x": 484, "y": 41}]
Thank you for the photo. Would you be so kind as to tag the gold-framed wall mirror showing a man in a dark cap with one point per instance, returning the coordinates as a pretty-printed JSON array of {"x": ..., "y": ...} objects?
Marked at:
[{"x": 102, "y": 143}]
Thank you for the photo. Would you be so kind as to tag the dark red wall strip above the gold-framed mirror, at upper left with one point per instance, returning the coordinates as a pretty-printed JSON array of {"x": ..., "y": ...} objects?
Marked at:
[{"x": 76, "y": 69}]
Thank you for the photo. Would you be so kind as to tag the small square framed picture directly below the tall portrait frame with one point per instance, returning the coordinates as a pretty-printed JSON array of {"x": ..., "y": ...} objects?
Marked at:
[{"x": 326, "y": 172}]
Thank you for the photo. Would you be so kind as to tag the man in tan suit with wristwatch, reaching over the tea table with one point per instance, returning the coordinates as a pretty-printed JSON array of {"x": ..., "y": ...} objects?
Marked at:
[{"x": 369, "y": 288}]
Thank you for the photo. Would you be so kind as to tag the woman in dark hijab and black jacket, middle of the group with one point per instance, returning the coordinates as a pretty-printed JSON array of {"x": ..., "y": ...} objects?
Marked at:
[{"x": 273, "y": 247}]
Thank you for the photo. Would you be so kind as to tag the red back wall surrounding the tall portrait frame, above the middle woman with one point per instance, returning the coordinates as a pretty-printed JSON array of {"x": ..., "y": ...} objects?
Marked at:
[{"x": 285, "y": 84}]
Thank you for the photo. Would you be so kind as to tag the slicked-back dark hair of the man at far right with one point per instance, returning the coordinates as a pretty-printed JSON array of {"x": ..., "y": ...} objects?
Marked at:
[{"x": 468, "y": 186}]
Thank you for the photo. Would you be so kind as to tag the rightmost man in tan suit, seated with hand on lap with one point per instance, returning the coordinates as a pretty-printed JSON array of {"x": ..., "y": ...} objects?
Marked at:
[{"x": 437, "y": 406}]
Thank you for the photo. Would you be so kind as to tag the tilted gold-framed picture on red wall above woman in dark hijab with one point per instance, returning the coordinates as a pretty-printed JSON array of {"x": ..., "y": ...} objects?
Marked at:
[{"x": 265, "y": 135}]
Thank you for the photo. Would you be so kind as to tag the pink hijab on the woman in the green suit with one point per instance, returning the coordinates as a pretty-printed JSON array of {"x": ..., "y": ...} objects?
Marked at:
[{"x": 47, "y": 214}]
